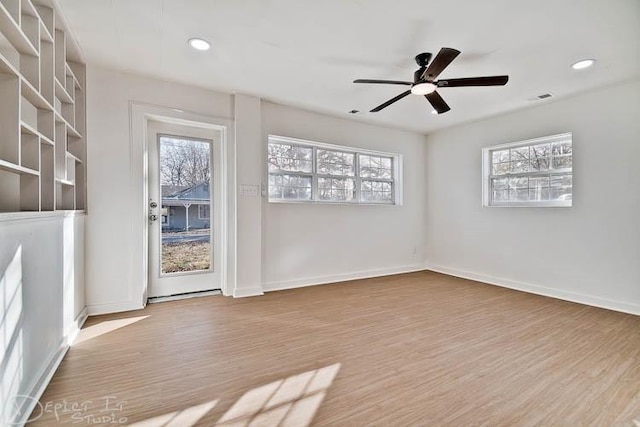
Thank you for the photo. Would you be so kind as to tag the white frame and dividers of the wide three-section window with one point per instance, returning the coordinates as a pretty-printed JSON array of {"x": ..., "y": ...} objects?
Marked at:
[{"x": 396, "y": 172}]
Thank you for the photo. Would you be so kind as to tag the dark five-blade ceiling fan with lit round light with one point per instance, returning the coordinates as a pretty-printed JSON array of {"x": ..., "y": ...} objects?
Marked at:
[{"x": 425, "y": 83}]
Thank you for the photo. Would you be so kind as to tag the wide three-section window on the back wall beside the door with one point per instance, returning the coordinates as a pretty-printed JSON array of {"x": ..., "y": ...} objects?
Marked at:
[{"x": 305, "y": 171}]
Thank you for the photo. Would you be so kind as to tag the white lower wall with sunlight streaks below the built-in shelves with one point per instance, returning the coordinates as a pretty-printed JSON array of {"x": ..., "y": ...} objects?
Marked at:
[{"x": 41, "y": 301}]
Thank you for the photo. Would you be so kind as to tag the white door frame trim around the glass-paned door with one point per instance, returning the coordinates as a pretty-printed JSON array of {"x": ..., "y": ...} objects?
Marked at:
[{"x": 141, "y": 114}]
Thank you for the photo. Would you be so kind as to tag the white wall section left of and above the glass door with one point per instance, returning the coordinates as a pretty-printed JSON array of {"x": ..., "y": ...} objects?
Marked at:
[{"x": 113, "y": 235}]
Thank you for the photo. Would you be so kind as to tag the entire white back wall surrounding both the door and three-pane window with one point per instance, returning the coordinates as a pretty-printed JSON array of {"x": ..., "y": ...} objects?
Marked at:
[{"x": 277, "y": 245}]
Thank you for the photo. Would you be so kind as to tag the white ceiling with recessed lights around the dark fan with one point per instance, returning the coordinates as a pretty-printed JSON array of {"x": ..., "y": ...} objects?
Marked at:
[{"x": 306, "y": 53}]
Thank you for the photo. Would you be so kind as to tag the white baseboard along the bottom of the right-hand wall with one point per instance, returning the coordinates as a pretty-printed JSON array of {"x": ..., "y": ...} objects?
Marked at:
[{"x": 539, "y": 290}]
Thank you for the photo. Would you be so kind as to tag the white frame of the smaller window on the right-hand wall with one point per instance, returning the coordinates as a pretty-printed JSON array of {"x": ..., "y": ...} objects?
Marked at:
[{"x": 487, "y": 168}]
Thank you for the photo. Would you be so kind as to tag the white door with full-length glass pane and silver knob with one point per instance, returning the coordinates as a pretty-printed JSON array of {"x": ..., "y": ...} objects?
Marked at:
[{"x": 185, "y": 209}]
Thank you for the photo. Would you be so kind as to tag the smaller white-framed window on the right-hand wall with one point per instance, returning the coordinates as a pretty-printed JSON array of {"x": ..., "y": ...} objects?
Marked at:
[{"x": 536, "y": 172}]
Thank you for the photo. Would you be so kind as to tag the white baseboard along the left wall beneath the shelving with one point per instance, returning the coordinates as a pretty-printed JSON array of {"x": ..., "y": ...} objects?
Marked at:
[{"x": 47, "y": 371}]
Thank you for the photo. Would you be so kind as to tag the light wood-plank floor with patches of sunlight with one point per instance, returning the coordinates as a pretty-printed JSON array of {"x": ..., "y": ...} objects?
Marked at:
[{"x": 420, "y": 349}]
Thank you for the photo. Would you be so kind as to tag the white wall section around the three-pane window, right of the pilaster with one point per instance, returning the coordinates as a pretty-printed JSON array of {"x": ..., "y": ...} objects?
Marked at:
[{"x": 319, "y": 243}]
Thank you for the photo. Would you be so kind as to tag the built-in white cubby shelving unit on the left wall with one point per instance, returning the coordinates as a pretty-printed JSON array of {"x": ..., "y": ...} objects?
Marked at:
[{"x": 42, "y": 110}]
